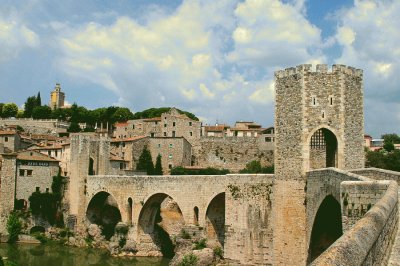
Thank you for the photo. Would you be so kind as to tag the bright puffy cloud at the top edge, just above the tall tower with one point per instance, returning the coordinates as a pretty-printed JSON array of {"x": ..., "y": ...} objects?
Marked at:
[{"x": 272, "y": 33}]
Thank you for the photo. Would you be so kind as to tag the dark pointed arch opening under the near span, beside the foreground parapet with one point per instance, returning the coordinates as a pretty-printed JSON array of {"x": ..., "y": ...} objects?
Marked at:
[{"x": 327, "y": 227}]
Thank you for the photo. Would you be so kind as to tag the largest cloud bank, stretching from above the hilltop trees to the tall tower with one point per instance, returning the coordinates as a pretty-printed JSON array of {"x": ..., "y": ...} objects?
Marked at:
[{"x": 196, "y": 57}]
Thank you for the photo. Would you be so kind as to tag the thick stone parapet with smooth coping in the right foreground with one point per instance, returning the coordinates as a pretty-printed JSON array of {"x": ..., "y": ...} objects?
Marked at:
[{"x": 370, "y": 240}]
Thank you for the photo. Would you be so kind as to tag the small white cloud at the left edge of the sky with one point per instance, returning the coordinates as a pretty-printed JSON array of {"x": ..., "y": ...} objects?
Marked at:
[{"x": 15, "y": 36}]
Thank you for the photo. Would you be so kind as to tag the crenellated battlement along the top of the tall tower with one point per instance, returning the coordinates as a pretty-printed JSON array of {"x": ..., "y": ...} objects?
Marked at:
[{"x": 320, "y": 68}]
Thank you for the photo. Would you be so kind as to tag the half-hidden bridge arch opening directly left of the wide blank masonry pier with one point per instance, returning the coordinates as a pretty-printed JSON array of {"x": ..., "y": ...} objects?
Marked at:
[{"x": 215, "y": 219}]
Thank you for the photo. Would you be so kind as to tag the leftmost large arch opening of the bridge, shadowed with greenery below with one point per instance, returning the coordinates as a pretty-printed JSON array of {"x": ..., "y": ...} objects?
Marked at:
[{"x": 103, "y": 210}]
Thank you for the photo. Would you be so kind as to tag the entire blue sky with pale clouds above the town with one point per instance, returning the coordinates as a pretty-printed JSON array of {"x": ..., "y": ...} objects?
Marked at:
[{"x": 213, "y": 58}]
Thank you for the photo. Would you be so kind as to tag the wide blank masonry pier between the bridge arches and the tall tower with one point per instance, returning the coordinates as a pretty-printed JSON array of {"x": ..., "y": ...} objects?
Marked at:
[{"x": 249, "y": 222}]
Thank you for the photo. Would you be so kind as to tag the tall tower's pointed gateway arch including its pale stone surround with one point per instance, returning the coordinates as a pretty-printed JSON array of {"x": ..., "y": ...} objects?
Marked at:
[{"x": 323, "y": 148}]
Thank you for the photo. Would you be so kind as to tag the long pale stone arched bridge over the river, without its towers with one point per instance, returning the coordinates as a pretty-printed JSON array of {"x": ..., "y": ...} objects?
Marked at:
[{"x": 237, "y": 211}]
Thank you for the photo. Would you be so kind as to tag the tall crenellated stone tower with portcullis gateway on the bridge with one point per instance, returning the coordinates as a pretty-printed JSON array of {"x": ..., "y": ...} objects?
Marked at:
[{"x": 318, "y": 123}]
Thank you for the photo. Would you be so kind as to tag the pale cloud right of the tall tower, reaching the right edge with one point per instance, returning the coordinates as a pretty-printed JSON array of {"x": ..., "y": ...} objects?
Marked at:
[{"x": 369, "y": 35}]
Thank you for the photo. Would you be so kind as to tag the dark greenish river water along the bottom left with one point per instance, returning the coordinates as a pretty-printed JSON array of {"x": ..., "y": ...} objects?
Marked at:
[{"x": 58, "y": 255}]
